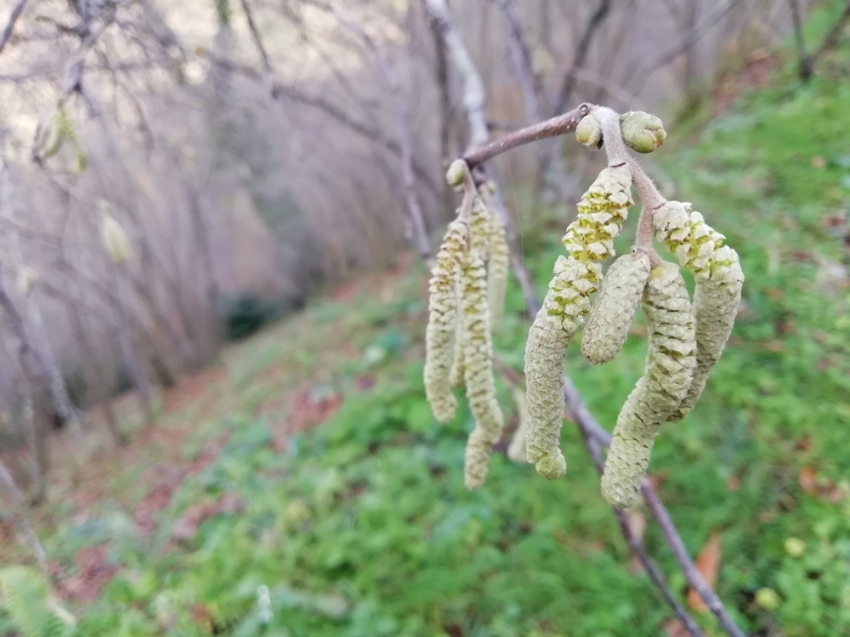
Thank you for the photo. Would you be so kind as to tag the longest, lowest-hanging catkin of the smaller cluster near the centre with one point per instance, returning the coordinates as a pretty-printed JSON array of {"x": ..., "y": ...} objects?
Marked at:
[{"x": 478, "y": 370}]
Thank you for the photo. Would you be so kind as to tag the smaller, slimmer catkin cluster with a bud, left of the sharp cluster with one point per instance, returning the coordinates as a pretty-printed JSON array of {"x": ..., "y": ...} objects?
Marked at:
[{"x": 466, "y": 296}]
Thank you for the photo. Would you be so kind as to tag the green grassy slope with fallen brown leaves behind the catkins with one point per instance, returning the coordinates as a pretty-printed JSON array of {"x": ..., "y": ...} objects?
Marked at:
[{"x": 363, "y": 528}]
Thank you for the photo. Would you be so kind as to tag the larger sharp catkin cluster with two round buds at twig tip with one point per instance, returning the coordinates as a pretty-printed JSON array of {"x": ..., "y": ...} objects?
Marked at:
[{"x": 685, "y": 339}]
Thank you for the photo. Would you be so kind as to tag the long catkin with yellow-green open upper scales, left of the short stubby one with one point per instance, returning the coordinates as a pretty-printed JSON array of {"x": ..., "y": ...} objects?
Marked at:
[{"x": 589, "y": 240}]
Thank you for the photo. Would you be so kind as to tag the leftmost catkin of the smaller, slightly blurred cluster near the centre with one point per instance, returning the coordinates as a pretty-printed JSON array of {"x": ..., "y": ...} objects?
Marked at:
[{"x": 442, "y": 318}]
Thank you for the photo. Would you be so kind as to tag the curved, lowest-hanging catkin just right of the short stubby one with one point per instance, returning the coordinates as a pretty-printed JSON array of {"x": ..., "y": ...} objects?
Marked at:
[{"x": 670, "y": 362}]
